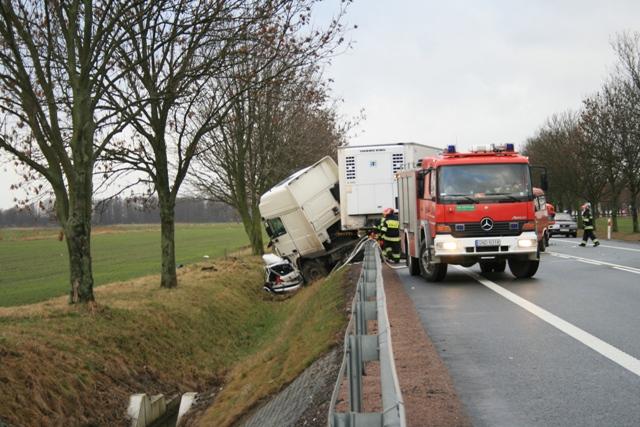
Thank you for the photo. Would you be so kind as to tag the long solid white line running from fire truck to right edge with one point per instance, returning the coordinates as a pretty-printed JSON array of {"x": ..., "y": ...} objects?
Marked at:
[{"x": 607, "y": 350}]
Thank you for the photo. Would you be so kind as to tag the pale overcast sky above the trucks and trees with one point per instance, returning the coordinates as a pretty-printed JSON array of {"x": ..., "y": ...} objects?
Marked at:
[{"x": 467, "y": 72}]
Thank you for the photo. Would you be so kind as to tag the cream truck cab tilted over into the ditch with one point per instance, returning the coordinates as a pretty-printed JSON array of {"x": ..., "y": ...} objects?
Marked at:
[{"x": 299, "y": 211}]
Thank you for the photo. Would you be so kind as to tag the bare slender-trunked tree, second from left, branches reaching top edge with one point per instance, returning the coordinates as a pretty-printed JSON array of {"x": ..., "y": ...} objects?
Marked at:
[{"x": 180, "y": 92}]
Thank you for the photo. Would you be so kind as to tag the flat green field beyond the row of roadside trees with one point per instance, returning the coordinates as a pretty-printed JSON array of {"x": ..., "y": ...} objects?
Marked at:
[{"x": 34, "y": 264}]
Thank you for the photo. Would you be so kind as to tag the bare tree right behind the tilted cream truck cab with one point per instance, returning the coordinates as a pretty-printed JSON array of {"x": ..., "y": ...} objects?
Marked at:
[{"x": 271, "y": 131}]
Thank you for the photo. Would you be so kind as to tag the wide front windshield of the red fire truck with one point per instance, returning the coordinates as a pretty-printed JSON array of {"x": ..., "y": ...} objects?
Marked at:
[{"x": 484, "y": 182}]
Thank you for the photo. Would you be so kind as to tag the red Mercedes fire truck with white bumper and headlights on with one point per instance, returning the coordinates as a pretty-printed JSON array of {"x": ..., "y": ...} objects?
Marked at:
[{"x": 463, "y": 208}]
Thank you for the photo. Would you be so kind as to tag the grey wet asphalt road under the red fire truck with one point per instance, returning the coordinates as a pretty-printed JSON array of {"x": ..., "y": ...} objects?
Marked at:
[{"x": 560, "y": 349}]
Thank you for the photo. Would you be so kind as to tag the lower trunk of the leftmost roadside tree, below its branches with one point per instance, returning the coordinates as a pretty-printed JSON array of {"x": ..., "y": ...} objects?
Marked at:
[{"x": 78, "y": 236}]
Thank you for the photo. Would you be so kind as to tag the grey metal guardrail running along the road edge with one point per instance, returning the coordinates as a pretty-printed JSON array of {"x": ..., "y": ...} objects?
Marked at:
[{"x": 359, "y": 347}]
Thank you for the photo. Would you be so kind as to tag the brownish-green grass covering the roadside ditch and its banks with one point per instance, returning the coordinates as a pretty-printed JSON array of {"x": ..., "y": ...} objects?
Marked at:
[{"x": 73, "y": 365}]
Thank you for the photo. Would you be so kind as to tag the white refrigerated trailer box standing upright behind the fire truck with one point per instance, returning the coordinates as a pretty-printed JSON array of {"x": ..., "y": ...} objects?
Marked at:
[{"x": 367, "y": 183}]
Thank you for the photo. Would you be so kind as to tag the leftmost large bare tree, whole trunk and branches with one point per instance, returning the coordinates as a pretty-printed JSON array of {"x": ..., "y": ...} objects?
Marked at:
[{"x": 55, "y": 67}]
